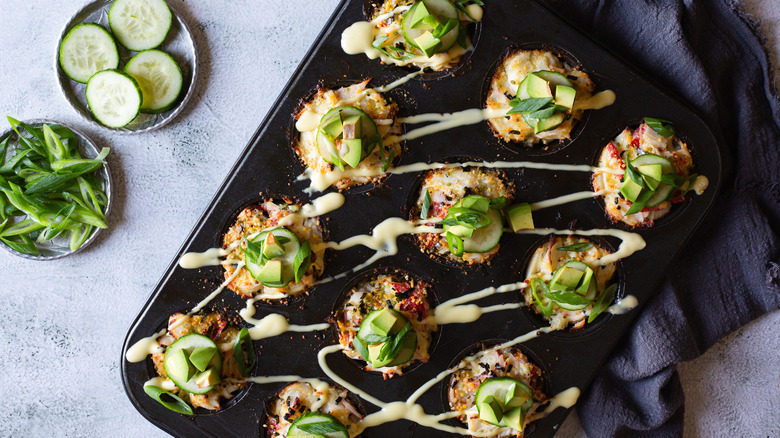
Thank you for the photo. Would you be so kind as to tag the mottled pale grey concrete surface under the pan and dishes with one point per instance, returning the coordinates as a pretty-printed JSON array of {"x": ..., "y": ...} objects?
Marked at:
[{"x": 63, "y": 322}]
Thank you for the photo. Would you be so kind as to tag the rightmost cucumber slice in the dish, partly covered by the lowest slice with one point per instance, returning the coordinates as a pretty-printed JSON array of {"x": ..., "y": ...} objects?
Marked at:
[{"x": 159, "y": 77}]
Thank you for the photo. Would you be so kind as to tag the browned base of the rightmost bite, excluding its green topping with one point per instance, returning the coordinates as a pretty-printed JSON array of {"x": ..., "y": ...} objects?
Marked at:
[{"x": 643, "y": 140}]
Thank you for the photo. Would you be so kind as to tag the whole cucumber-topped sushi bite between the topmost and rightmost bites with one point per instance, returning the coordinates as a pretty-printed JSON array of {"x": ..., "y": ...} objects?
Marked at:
[{"x": 541, "y": 92}]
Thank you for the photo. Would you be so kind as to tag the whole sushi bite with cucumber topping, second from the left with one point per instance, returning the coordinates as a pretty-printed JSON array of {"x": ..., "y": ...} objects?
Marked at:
[{"x": 282, "y": 251}]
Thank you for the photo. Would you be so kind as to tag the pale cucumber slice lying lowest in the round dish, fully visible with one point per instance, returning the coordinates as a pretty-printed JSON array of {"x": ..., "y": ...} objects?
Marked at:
[{"x": 114, "y": 98}]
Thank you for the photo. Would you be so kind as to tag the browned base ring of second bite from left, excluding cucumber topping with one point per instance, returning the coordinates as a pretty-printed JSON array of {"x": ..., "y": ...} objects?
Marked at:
[{"x": 256, "y": 219}]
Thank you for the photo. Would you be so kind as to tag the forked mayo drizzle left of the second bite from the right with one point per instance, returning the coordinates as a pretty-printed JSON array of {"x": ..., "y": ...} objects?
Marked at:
[{"x": 456, "y": 311}]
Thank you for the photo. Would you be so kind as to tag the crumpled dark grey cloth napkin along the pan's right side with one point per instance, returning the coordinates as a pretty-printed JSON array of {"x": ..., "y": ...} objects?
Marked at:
[{"x": 709, "y": 53}]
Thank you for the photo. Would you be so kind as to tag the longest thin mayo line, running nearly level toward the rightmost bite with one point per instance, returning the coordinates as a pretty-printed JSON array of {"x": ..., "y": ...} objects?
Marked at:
[{"x": 319, "y": 181}]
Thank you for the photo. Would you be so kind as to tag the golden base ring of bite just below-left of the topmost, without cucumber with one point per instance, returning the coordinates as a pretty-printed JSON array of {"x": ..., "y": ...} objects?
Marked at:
[{"x": 373, "y": 103}]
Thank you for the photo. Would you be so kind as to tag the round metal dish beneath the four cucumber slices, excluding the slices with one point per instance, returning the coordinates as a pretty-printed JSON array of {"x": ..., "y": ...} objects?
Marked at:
[{"x": 179, "y": 43}]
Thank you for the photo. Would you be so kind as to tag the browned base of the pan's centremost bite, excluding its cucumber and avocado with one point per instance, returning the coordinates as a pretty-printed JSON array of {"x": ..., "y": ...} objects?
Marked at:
[{"x": 446, "y": 187}]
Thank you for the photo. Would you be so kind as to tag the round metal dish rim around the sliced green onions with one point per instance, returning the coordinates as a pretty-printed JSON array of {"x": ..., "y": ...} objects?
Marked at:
[{"x": 59, "y": 247}]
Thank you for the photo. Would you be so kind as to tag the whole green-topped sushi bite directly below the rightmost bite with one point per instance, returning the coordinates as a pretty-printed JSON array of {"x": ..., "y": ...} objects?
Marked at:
[{"x": 566, "y": 284}]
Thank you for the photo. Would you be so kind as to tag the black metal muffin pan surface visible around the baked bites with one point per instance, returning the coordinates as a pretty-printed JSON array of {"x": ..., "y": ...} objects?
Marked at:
[{"x": 567, "y": 358}]
